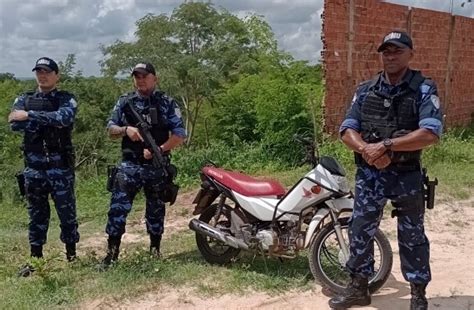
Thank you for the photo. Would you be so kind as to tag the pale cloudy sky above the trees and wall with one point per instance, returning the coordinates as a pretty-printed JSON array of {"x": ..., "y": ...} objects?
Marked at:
[{"x": 30, "y": 29}]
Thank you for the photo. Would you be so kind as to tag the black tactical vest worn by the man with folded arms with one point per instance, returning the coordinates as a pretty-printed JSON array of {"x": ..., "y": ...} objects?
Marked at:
[{"x": 48, "y": 139}]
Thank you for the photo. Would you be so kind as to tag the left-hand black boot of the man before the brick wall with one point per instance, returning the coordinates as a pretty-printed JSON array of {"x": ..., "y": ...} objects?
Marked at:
[{"x": 356, "y": 294}]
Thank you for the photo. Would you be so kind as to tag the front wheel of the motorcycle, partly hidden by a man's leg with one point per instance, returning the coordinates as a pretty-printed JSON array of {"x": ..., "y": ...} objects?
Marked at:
[{"x": 328, "y": 266}]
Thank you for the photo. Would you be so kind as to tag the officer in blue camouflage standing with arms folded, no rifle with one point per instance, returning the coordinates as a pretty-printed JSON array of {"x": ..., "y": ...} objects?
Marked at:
[{"x": 46, "y": 117}]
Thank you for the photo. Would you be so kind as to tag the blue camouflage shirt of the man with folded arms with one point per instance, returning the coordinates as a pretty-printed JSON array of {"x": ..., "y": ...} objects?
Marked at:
[{"x": 63, "y": 117}]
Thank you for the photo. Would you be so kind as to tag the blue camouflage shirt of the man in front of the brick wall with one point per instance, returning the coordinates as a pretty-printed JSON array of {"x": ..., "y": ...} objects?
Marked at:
[{"x": 429, "y": 106}]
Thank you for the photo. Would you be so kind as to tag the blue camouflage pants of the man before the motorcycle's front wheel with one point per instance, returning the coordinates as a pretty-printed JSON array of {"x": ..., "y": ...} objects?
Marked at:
[{"x": 404, "y": 189}]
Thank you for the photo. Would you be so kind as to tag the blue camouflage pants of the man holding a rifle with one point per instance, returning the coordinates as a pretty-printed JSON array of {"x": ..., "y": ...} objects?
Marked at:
[{"x": 130, "y": 178}]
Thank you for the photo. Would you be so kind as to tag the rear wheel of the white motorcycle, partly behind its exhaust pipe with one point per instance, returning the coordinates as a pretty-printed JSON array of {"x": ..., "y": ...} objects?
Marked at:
[{"x": 214, "y": 251}]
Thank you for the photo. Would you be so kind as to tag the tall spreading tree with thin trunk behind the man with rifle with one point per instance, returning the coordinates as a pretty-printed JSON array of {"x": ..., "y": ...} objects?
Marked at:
[{"x": 197, "y": 50}]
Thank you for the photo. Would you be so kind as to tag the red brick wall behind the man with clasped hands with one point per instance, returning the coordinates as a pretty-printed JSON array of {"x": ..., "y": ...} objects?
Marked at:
[{"x": 444, "y": 51}]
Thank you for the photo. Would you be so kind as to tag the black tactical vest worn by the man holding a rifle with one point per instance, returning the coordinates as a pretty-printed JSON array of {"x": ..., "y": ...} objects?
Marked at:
[{"x": 160, "y": 127}]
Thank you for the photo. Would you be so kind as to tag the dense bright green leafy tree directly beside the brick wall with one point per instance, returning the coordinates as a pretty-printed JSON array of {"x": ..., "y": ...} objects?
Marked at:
[{"x": 268, "y": 108}]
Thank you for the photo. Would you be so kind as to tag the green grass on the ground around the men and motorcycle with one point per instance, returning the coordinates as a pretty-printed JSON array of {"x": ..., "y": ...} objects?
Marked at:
[{"x": 58, "y": 284}]
